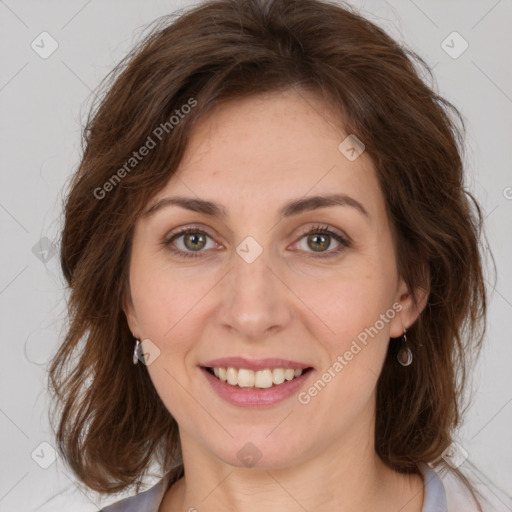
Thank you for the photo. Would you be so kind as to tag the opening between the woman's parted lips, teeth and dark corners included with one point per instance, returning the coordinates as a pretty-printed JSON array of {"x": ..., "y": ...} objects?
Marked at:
[{"x": 264, "y": 378}]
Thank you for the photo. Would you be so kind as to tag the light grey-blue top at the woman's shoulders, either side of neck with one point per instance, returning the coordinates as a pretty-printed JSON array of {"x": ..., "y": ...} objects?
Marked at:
[{"x": 150, "y": 500}]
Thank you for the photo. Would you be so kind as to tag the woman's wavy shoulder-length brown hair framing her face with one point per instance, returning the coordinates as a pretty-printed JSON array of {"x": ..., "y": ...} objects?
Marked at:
[{"x": 112, "y": 423}]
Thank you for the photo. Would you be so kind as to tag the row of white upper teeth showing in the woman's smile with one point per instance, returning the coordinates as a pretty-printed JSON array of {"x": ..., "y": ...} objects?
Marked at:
[{"x": 262, "y": 379}]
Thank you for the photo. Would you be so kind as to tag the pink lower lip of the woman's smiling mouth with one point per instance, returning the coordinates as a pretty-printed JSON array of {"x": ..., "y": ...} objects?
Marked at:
[{"x": 253, "y": 397}]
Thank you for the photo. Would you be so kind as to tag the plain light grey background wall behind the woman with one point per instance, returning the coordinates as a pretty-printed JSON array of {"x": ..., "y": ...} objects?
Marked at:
[{"x": 44, "y": 101}]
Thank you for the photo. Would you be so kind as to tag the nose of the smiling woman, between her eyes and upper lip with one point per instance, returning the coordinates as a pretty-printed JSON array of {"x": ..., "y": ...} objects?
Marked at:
[{"x": 255, "y": 300}]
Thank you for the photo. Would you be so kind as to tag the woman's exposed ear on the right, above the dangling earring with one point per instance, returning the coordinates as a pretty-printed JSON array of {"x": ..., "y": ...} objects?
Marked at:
[{"x": 410, "y": 310}]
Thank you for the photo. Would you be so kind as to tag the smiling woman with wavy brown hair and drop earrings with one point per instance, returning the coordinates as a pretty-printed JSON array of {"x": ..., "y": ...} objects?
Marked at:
[{"x": 274, "y": 269}]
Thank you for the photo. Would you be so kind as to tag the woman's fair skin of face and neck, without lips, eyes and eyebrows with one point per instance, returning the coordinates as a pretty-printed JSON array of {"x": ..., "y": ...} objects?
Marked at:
[{"x": 265, "y": 151}]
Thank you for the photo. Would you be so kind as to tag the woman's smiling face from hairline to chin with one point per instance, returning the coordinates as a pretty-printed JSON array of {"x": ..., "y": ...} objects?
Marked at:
[{"x": 254, "y": 282}]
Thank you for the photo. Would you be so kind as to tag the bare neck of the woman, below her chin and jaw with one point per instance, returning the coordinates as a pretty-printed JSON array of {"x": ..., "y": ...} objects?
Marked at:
[{"x": 348, "y": 477}]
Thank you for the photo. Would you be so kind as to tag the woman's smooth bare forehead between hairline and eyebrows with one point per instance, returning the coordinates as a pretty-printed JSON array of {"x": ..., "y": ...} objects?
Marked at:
[{"x": 269, "y": 148}]
